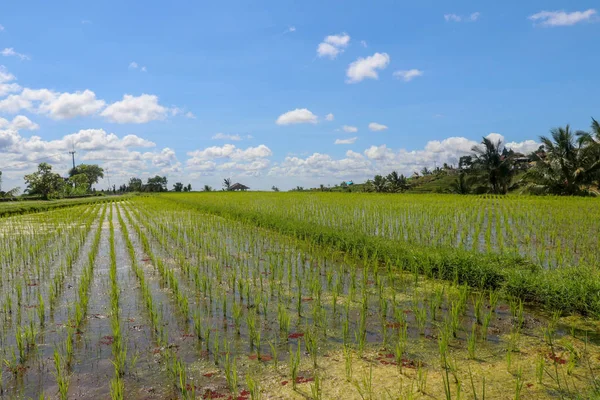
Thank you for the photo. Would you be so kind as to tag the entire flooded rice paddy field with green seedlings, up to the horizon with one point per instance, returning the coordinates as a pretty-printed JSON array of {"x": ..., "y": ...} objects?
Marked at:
[{"x": 302, "y": 296}]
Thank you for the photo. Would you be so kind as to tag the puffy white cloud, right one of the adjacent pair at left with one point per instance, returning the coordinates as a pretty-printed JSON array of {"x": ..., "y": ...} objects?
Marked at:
[{"x": 136, "y": 110}]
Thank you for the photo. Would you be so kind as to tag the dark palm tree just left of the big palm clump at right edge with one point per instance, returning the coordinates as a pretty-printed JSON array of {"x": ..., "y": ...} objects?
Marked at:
[{"x": 494, "y": 164}]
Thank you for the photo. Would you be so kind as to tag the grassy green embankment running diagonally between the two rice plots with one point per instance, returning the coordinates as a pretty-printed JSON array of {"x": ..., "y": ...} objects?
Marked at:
[{"x": 569, "y": 288}]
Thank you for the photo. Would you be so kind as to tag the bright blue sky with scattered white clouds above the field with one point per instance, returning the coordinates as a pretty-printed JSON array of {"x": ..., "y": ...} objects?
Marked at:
[{"x": 286, "y": 93}]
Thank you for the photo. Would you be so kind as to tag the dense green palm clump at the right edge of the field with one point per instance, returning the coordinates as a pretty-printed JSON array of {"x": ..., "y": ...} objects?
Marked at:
[{"x": 567, "y": 165}]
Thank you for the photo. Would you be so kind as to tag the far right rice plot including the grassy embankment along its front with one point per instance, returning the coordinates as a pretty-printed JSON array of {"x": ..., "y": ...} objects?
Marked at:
[{"x": 352, "y": 224}]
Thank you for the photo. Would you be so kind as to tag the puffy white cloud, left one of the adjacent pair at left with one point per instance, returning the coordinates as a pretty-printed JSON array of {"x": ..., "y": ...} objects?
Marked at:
[{"x": 71, "y": 105}]
